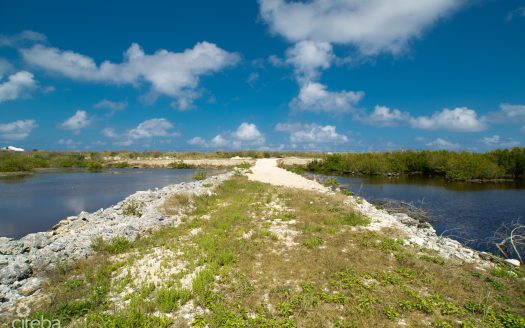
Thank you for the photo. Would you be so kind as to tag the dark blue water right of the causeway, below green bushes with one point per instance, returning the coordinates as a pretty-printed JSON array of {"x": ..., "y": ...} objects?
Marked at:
[{"x": 460, "y": 210}]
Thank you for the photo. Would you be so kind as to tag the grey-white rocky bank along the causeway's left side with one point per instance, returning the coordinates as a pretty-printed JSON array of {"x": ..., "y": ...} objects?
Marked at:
[{"x": 24, "y": 262}]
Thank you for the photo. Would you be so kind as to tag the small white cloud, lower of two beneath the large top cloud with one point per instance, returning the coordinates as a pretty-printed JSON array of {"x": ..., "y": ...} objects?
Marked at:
[{"x": 315, "y": 97}]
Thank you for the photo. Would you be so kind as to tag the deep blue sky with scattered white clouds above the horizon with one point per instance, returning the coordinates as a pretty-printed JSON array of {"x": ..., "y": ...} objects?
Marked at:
[{"x": 325, "y": 75}]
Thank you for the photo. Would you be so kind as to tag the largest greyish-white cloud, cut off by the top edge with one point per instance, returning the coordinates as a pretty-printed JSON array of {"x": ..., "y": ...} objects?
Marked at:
[{"x": 371, "y": 26}]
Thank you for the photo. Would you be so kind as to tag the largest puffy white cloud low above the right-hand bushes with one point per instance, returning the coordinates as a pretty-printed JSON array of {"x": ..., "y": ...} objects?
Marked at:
[{"x": 460, "y": 119}]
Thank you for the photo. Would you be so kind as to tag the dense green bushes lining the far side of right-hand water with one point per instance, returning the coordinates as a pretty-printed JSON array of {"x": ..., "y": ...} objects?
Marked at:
[{"x": 498, "y": 164}]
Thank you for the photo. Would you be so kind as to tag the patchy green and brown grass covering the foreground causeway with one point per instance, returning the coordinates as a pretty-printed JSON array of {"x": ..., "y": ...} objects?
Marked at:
[{"x": 253, "y": 255}]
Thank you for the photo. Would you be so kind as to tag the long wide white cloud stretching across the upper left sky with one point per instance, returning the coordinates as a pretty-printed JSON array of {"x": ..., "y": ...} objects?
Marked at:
[{"x": 168, "y": 73}]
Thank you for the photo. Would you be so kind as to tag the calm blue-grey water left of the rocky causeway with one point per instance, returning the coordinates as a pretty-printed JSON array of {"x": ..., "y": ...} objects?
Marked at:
[{"x": 37, "y": 202}]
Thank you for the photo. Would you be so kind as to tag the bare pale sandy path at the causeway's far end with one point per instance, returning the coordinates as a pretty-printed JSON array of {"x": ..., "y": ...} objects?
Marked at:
[{"x": 266, "y": 170}]
